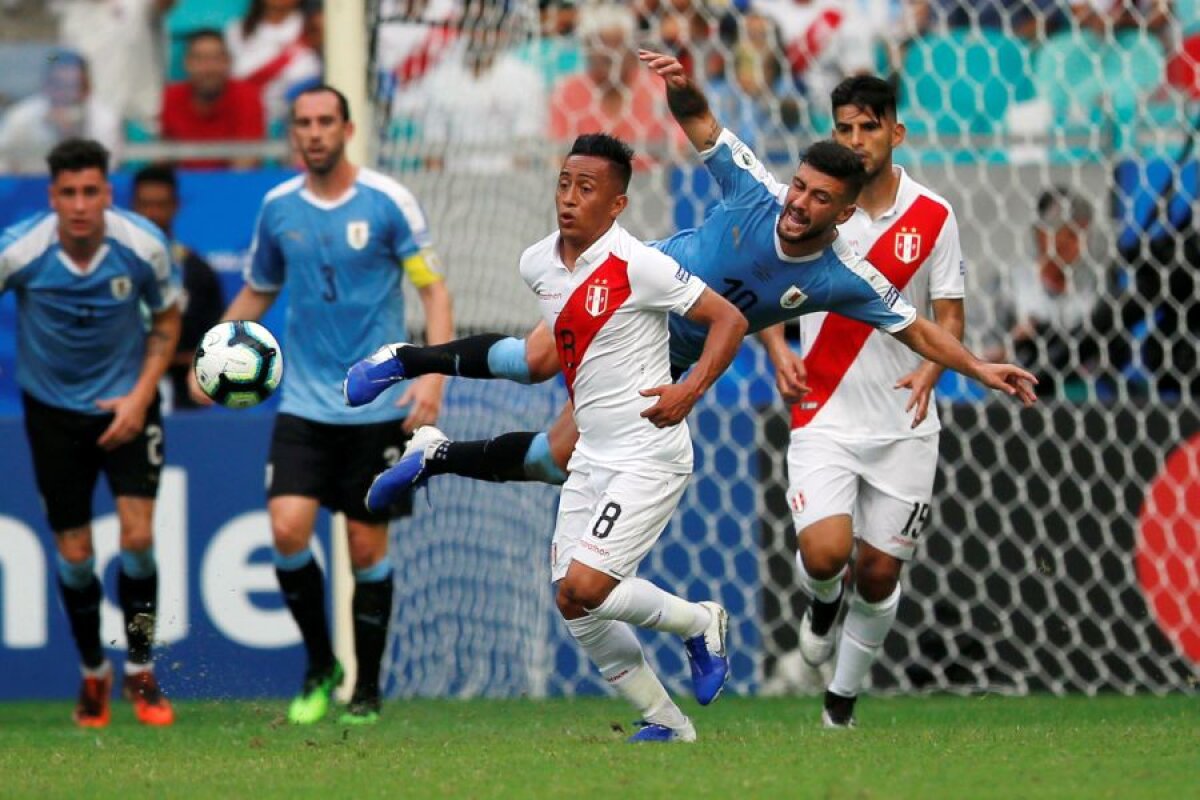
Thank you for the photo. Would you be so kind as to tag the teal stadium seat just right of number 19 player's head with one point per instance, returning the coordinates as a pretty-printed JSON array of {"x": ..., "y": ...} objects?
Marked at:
[{"x": 958, "y": 87}]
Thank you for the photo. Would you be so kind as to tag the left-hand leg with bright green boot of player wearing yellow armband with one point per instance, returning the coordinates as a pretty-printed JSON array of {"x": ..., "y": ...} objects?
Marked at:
[{"x": 303, "y": 586}]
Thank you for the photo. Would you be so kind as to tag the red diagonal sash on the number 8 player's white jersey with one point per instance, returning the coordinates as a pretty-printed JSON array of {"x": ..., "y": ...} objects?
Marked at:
[{"x": 585, "y": 314}]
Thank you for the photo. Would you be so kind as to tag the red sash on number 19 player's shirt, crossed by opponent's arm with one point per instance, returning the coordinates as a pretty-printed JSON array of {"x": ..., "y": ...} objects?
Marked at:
[{"x": 897, "y": 255}]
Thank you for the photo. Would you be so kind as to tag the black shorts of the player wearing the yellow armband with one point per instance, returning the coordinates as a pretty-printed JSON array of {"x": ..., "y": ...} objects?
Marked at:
[{"x": 335, "y": 464}]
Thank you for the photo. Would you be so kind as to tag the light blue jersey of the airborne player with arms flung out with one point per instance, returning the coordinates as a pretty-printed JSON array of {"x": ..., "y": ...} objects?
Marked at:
[{"x": 736, "y": 251}]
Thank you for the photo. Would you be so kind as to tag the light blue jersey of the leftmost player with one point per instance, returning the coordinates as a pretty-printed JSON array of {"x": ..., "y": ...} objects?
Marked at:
[{"x": 81, "y": 332}]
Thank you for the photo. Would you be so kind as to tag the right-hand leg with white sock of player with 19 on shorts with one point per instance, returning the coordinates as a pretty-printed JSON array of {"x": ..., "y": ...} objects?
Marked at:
[{"x": 872, "y": 613}]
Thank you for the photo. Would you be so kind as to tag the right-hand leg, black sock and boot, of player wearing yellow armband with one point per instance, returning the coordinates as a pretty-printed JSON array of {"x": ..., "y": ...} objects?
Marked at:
[{"x": 373, "y": 612}]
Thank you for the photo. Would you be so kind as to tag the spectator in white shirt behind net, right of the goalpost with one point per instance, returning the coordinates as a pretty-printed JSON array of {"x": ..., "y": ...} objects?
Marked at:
[{"x": 483, "y": 109}]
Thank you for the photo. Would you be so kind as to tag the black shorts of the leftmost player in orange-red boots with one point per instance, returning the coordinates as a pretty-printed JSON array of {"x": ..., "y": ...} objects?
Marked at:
[{"x": 68, "y": 461}]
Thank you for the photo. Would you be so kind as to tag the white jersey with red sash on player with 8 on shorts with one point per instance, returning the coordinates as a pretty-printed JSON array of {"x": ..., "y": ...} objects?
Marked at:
[{"x": 610, "y": 322}]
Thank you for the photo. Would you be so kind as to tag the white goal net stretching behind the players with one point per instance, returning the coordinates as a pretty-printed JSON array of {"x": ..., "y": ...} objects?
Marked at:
[{"x": 1063, "y": 552}]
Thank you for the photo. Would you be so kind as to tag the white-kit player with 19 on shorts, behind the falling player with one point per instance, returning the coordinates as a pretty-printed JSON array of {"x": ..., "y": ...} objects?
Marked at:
[{"x": 863, "y": 455}]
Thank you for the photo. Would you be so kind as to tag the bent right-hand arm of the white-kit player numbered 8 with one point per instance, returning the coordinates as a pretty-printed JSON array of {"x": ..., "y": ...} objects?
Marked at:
[{"x": 727, "y": 327}]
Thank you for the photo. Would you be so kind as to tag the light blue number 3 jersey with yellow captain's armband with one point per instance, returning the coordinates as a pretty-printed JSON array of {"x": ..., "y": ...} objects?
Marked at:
[{"x": 343, "y": 263}]
